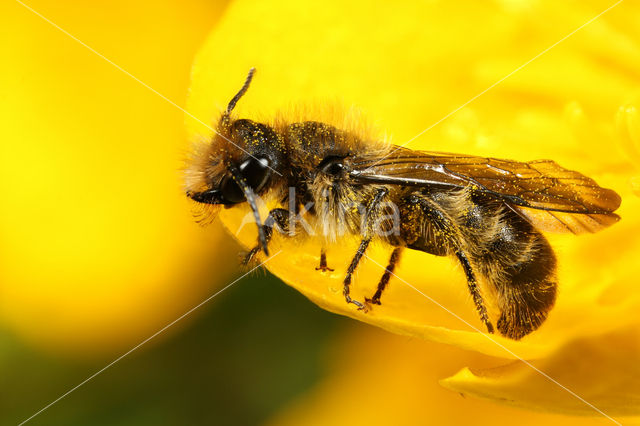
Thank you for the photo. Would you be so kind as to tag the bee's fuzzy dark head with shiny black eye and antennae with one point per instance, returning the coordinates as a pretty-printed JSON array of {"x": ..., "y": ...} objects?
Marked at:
[{"x": 239, "y": 164}]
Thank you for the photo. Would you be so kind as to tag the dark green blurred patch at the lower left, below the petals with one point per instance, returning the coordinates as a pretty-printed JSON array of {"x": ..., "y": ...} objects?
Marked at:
[{"x": 253, "y": 348}]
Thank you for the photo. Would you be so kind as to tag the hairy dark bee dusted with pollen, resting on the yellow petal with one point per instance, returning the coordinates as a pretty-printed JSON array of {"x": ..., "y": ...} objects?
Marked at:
[{"x": 487, "y": 213}]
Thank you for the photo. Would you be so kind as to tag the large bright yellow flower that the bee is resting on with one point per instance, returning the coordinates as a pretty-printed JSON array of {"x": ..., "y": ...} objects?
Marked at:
[{"x": 408, "y": 66}]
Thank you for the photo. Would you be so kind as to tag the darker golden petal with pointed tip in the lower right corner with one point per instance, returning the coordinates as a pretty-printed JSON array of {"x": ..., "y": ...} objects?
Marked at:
[{"x": 599, "y": 373}]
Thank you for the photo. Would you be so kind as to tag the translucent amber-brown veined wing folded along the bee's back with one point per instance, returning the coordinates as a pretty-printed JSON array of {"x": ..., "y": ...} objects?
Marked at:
[{"x": 548, "y": 195}]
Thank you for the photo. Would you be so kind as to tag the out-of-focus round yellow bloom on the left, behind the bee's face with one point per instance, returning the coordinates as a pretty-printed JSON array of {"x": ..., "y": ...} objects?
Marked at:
[{"x": 98, "y": 244}]
